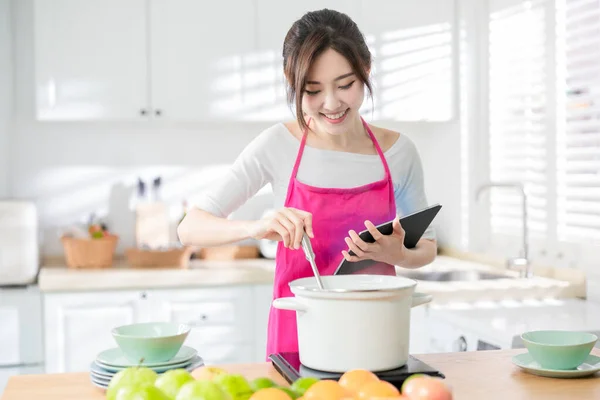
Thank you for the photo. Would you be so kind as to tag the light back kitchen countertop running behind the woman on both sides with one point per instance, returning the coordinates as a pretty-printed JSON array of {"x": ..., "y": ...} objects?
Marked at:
[{"x": 56, "y": 277}]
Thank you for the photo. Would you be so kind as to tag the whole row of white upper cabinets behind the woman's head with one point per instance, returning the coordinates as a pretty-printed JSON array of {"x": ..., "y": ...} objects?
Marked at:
[{"x": 192, "y": 61}]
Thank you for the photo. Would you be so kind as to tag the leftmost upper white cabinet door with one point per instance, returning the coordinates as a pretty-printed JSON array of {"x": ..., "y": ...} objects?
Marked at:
[{"x": 91, "y": 59}]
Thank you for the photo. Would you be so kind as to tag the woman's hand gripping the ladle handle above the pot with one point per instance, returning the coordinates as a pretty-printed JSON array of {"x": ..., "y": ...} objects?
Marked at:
[{"x": 286, "y": 224}]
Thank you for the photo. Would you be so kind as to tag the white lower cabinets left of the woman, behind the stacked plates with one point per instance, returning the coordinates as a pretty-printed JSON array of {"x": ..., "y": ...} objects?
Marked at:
[{"x": 228, "y": 322}]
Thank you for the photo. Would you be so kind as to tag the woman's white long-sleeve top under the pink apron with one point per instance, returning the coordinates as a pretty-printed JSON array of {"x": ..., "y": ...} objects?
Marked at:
[{"x": 270, "y": 157}]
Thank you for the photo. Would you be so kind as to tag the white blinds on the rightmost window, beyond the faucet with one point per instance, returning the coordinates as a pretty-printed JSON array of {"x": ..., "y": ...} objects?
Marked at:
[{"x": 578, "y": 133}]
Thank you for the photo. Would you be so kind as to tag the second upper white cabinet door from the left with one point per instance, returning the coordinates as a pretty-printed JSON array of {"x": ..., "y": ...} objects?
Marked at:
[{"x": 202, "y": 59}]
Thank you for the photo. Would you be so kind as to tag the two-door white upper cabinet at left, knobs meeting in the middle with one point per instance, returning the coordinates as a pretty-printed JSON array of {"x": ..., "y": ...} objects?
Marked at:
[{"x": 162, "y": 59}]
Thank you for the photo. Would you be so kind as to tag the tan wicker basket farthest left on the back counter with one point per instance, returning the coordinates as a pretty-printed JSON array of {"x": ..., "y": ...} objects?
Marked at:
[{"x": 90, "y": 253}]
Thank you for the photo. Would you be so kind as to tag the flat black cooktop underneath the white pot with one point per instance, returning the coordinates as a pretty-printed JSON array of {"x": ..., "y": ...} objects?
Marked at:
[{"x": 290, "y": 367}]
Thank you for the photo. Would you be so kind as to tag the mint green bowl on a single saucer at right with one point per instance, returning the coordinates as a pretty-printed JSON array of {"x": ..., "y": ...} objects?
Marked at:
[{"x": 556, "y": 349}]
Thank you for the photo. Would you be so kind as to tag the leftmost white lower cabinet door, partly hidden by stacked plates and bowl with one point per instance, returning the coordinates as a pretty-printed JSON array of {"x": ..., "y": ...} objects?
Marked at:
[{"x": 78, "y": 325}]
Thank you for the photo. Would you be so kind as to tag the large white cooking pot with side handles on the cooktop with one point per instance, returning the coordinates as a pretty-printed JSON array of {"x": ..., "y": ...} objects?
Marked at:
[{"x": 356, "y": 321}]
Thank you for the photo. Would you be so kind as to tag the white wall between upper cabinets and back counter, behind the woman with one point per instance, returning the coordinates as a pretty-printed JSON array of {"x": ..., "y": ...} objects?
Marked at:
[{"x": 72, "y": 169}]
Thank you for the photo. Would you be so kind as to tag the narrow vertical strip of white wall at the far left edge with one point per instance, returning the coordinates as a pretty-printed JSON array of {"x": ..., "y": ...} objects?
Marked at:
[{"x": 6, "y": 93}]
